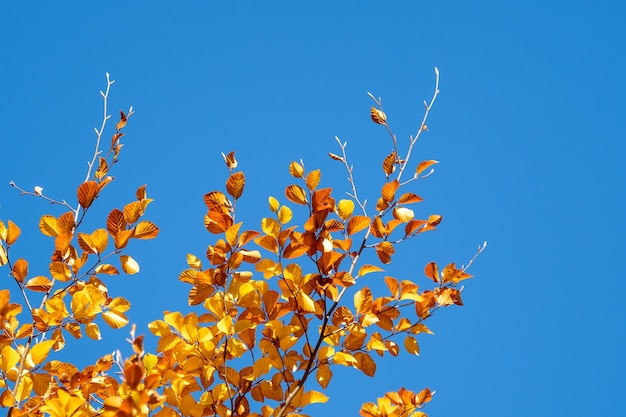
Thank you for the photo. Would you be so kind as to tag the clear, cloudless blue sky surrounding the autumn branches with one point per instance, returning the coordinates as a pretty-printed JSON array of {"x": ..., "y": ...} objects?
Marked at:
[{"x": 527, "y": 128}]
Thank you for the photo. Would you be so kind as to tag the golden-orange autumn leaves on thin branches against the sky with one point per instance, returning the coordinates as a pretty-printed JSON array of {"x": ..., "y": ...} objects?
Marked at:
[{"x": 278, "y": 308}]
